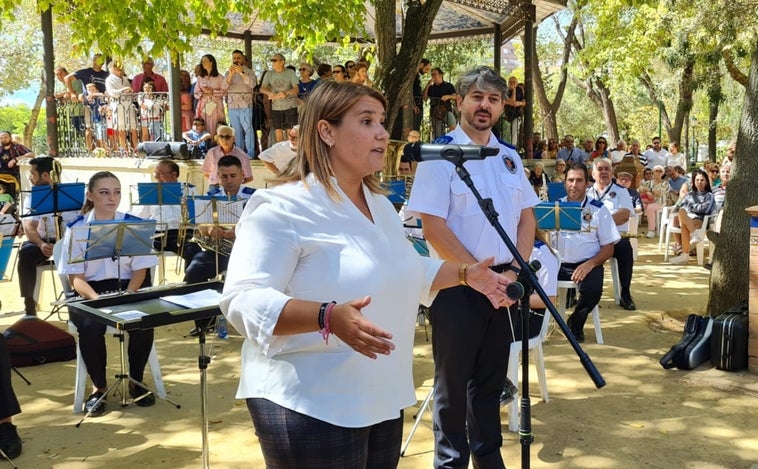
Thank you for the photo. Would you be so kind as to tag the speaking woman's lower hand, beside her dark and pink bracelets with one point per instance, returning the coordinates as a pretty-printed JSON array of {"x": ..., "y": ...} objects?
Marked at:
[{"x": 348, "y": 324}]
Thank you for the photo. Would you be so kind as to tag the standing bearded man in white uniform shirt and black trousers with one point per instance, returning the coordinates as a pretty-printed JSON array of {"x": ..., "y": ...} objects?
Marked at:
[{"x": 471, "y": 339}]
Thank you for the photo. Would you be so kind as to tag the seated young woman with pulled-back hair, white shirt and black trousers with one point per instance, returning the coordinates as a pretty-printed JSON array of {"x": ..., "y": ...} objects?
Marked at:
[{"x": 91, "y": 278}]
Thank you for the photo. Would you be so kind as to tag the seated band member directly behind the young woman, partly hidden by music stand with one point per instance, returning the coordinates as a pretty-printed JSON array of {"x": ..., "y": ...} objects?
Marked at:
[{"x": 167, "y": 171}]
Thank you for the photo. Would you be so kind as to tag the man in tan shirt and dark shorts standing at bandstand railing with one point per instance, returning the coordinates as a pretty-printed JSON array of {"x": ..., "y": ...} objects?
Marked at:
[{"x": 280, "y": 85}]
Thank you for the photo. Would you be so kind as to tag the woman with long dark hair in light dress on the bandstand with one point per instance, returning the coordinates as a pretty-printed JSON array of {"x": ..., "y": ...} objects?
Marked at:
[{"x": 210, "y": 91}]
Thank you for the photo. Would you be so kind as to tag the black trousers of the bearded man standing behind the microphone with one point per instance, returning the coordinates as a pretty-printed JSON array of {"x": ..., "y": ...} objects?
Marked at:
[{"x": 470, "y": 344}]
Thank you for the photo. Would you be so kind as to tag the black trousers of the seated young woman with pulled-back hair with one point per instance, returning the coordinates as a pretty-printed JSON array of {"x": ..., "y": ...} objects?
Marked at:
[{"x": 92, "y": 339}]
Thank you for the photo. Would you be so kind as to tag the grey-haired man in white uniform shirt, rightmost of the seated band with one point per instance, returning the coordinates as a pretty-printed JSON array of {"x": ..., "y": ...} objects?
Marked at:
[{"x": 618, "y": 201}]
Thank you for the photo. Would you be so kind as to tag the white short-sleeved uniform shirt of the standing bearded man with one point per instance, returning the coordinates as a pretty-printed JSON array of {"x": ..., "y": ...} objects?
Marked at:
[{"x": 437, "y": 190}]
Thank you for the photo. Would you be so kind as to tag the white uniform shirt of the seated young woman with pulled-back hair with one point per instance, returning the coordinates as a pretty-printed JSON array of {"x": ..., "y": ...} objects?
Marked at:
[{"x": 74, "y": 245}]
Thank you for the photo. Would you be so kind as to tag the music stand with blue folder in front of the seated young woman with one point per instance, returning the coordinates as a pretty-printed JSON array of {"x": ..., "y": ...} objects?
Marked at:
[{"x": 112, "y": 239}]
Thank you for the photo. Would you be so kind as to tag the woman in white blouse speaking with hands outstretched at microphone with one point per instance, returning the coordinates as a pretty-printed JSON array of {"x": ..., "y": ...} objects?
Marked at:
[{"x": 325, "y": 287}]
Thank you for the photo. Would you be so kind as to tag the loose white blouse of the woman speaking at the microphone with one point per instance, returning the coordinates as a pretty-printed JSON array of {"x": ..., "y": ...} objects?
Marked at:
[{"x": 294, "y": 241}]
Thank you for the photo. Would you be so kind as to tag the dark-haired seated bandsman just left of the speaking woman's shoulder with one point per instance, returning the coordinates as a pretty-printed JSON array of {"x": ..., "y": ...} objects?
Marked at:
[{"x": 203, "y": 265}]
